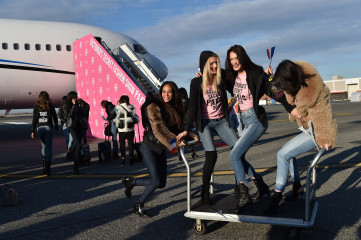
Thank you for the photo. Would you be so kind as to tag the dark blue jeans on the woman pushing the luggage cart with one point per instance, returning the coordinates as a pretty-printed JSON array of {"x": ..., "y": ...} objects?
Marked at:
[{"x": 157, "y": 167}]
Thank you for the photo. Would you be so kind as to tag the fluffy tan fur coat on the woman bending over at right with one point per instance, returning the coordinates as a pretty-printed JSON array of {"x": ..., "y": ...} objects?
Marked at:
[{"x": 313, "y": 104}]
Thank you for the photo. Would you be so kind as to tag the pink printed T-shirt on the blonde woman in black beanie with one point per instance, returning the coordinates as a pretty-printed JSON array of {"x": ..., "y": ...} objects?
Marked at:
[{"x": 212, "y": 105}]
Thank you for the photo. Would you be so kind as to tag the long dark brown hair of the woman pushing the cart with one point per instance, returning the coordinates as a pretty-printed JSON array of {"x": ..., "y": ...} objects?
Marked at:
[{"x": 174, "y": 104}]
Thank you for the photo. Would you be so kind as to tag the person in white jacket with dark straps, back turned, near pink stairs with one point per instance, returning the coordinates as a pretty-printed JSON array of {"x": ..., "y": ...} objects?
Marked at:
[{"x": 124, "y": 120}]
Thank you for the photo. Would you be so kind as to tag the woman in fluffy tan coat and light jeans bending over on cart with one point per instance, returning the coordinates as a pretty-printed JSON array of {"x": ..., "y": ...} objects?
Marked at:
[{"x": 304, "y": 88}]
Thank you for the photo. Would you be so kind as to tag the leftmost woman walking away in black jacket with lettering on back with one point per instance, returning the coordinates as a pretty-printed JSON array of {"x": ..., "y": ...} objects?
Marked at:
[{"x": 44, "y": 120}]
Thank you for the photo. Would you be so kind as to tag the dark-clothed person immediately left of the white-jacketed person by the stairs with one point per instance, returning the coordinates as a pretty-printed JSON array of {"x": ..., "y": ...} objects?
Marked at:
[{"x": 110, "y": 110}]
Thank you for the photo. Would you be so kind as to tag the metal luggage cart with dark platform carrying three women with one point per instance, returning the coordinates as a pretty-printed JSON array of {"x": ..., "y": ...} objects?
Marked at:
[{"x": 301, "y": 213}]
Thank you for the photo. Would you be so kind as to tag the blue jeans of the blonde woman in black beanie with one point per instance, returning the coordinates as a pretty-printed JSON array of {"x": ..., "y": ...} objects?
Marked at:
[{"x": 221, "y": 127}]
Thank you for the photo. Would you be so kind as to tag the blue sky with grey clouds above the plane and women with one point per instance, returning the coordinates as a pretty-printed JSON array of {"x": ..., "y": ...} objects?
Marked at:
[{"x": 326, "y": 33}]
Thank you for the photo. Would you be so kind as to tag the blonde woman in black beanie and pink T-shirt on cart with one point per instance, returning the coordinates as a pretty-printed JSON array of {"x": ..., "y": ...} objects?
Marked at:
[{"x": 209, "y": 108}]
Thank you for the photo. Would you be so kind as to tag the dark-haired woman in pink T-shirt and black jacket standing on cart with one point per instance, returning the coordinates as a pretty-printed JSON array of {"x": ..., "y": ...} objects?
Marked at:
[{"x": 248, "y": 83}]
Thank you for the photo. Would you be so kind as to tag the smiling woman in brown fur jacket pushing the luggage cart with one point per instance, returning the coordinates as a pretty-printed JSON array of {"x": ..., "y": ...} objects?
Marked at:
[{"x": 162, "y": 118}]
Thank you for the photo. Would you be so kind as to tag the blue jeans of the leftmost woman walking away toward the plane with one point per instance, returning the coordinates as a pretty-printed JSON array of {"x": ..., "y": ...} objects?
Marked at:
[{"x": 46, "y": 139}]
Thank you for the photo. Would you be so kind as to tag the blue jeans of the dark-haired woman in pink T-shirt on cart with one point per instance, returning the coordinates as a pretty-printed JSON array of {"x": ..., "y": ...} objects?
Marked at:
[{"x": 252, "y": 131}]
